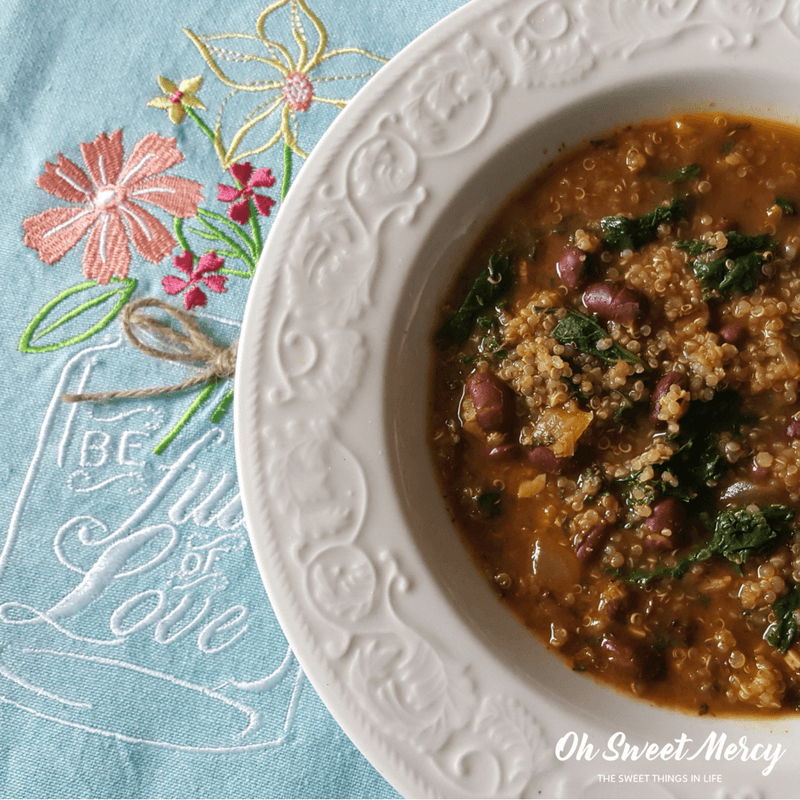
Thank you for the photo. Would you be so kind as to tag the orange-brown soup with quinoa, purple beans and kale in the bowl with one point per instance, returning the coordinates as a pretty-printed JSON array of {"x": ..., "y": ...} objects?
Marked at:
[{"x": 614, "y": 413}]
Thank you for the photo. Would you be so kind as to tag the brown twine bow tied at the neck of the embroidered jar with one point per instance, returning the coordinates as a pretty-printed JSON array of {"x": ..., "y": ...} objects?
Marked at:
[{"x": 190, "y": 345}]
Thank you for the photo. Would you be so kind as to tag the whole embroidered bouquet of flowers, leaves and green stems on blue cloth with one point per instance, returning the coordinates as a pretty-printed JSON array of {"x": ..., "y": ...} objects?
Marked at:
[{"x": 105, "y": 198}]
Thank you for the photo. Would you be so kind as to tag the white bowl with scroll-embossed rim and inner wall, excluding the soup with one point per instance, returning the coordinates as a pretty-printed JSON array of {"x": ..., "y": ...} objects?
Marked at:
[{"x": 432, "y": 679}]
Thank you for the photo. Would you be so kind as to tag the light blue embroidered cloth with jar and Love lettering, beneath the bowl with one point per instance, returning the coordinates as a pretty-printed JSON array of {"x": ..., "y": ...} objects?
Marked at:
[{"x": 146, "y": 147}]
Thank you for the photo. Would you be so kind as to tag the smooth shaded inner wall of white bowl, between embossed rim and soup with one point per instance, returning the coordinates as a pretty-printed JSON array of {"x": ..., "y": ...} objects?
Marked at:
[{"x": 464, "y": 216}]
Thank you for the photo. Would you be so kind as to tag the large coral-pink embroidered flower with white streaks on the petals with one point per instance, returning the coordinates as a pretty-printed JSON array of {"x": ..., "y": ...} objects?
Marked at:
[{"x": 108, "y": 204}]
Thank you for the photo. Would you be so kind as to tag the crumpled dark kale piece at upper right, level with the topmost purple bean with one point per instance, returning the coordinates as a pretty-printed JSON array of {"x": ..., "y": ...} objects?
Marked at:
[{"x": 738, "y": 266}]
